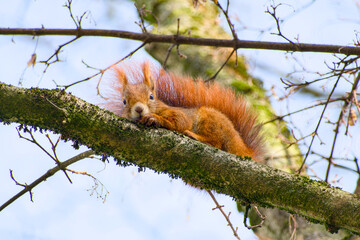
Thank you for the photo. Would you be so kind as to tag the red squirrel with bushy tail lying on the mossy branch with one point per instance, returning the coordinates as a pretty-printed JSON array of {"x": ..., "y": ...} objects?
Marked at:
[{"x": 202, "y": 111}]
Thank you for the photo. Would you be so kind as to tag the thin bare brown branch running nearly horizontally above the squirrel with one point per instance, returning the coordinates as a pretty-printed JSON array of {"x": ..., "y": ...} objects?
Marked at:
[{"x": 178, "y": 39}]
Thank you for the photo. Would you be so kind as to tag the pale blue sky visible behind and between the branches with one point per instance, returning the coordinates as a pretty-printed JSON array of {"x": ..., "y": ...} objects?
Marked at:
[{"x": 140, "y": 205}]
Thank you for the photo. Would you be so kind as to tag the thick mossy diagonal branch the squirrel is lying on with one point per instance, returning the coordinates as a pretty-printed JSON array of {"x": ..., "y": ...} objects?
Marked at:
[{"x": 178, "y": 156}]
